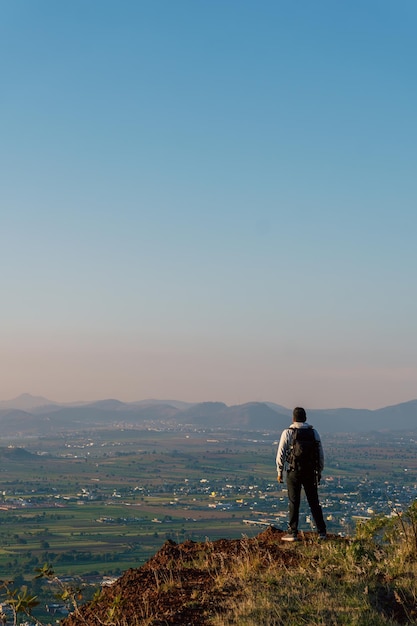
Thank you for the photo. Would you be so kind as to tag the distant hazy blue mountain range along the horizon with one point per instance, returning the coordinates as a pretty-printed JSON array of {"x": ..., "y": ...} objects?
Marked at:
[{"x": 29, "y": 415}]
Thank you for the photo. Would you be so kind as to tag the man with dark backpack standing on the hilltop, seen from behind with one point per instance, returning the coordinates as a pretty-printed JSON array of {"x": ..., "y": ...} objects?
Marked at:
[{"x": 300, "y": 455}]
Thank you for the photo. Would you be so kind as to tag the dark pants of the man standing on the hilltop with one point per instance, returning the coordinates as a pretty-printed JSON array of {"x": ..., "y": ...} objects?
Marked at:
[{"x": 296, "y": 480}]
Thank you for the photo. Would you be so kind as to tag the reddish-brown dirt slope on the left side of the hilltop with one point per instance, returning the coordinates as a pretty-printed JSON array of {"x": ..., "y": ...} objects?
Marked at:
[{"x": 171, "y": 590}]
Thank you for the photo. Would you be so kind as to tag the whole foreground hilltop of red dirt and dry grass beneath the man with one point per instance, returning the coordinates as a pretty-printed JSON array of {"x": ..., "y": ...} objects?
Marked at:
[{"x": 262, "y": 581}]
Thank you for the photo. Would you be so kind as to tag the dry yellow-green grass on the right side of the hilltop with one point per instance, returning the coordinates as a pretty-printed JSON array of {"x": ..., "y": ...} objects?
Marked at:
[{"x": 368, "y": 581}]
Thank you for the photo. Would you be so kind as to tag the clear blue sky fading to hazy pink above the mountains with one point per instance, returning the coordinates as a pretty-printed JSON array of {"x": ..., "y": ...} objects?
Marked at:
[{"x": 209, "y": 200}]
